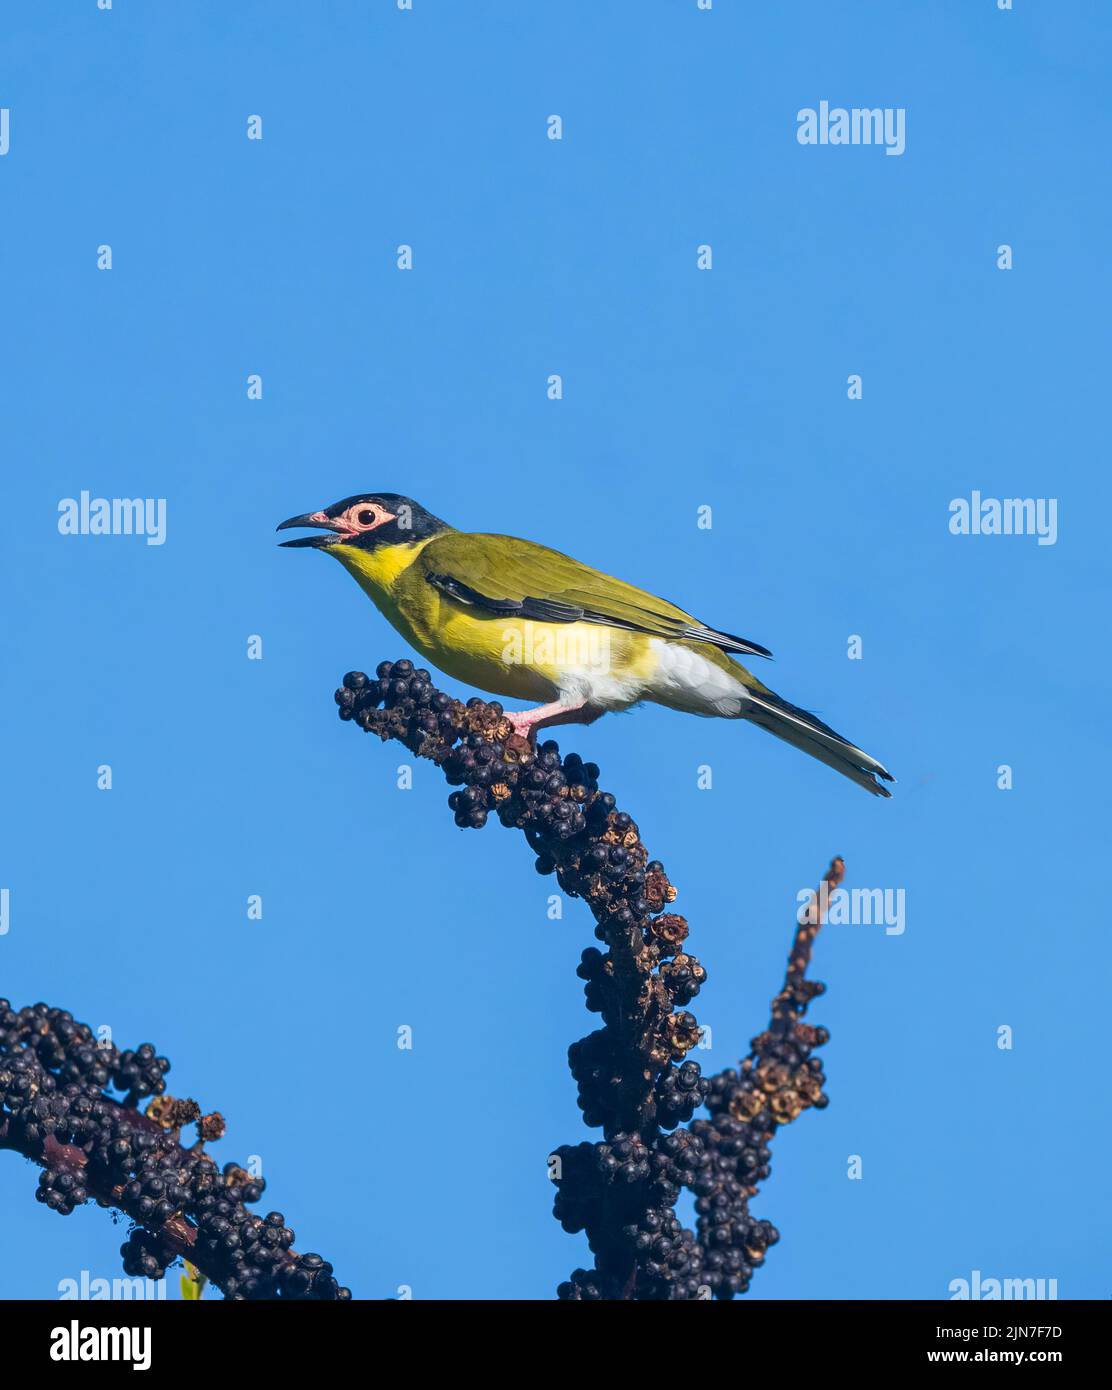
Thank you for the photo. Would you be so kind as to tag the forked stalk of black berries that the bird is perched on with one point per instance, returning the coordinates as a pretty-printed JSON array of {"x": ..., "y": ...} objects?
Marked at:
[{"x": 636, "y": 1078}]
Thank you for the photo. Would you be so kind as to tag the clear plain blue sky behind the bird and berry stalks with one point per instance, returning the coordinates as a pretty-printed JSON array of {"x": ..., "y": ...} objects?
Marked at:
[{"x": 683, "y": 389}]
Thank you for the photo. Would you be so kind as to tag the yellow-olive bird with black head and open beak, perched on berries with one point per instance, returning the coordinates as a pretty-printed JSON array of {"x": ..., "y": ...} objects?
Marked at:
[{"x": 521, "y": 621}]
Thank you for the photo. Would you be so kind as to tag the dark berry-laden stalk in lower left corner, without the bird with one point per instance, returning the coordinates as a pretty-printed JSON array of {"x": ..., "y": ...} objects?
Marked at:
[{"x": 55, "y": 1110}]
